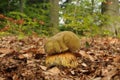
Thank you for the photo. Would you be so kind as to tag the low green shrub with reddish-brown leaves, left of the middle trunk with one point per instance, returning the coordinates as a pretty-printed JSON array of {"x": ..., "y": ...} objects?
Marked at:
[{"x": 22, "y": 24}]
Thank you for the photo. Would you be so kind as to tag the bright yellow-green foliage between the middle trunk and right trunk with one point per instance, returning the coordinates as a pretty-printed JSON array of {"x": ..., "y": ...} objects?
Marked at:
[{"x": 83, "y": 18}]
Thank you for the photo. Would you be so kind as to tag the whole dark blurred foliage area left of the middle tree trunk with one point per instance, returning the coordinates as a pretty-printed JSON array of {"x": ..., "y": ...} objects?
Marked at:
[{"x": 32, "y": 19}]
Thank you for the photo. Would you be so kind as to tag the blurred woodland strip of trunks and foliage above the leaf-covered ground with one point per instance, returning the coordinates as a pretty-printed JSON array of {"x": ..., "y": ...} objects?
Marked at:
[{"x": 45, "y": 17}]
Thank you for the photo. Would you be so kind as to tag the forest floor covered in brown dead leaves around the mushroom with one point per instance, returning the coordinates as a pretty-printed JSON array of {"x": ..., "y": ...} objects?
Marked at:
[{"x": 24, "y": 59}]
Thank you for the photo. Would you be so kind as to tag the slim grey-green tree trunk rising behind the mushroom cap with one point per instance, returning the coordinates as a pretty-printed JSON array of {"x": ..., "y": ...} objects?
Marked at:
[{"x": 54, "y": 16}]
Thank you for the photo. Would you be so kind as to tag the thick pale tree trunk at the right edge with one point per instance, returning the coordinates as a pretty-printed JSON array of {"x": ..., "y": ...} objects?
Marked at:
[{"x": 111, "y": 8}]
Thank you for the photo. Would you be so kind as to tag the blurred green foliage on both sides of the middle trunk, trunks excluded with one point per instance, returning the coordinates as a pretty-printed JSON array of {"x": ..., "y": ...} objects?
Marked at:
[{"x": 29, "y": 17}]
